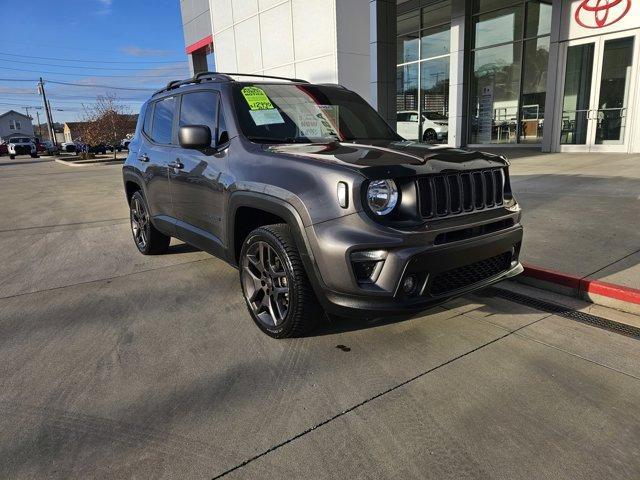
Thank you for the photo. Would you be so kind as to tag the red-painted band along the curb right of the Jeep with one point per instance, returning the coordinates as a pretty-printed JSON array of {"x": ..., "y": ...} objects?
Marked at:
[{"x": 584, "y": 285}]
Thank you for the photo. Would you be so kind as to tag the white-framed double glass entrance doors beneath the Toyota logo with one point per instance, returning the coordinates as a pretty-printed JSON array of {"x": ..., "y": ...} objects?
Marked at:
[{"x": 596, "y": 93}]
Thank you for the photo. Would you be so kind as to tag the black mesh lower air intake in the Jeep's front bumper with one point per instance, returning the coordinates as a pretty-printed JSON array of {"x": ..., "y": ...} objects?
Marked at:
[{"x": 467, "y": 275}]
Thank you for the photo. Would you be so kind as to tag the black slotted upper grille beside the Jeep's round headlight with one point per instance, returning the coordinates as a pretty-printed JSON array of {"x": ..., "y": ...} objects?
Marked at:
[{"x": 455, "y": 193}]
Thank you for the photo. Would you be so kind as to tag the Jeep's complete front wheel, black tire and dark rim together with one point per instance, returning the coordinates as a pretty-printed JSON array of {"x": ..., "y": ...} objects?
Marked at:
[{"x": 262, "y": 272}]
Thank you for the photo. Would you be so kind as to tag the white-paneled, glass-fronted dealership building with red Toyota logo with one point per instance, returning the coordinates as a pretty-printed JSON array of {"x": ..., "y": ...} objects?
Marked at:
[{"x": 559, "y": 75}]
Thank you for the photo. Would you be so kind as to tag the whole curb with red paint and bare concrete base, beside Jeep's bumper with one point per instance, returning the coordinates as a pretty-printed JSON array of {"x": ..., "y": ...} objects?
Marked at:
[{"x": 611, "y": 295}]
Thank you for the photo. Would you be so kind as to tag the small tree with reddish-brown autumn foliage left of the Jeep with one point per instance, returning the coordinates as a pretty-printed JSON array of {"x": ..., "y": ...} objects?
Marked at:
[{"x": 107, "y": 121}]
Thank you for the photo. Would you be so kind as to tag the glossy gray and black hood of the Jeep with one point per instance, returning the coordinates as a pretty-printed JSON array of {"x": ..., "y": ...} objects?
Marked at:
[{"x": 395, "y": 159}]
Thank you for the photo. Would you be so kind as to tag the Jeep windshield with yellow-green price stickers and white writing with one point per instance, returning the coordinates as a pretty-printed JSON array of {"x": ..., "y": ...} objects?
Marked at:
[{"x": 291, "y": 113}]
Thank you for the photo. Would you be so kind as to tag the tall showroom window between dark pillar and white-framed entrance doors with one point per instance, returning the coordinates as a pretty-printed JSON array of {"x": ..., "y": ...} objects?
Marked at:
[{"x": 509, "y": 73}]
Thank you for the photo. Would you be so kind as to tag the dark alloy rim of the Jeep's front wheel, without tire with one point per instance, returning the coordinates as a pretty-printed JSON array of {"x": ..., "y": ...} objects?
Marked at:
[{"x": 266, "y": 284}]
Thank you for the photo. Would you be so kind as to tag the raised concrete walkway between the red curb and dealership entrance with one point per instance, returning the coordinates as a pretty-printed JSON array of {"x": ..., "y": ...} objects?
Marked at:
[{"x": 581, "y": 213}]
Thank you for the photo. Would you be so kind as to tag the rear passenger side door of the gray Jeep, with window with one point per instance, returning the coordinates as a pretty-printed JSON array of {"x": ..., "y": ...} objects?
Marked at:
[{"x": 156, "y": 151}]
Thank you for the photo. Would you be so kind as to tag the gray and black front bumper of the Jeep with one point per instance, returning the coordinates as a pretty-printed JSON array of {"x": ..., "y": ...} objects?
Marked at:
[{"x": 440, "y": 271}]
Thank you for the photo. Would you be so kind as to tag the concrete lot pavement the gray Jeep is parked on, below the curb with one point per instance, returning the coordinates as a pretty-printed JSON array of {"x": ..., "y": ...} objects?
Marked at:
[{"x": 115, "y": 365}]
